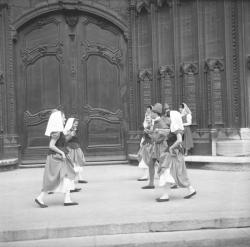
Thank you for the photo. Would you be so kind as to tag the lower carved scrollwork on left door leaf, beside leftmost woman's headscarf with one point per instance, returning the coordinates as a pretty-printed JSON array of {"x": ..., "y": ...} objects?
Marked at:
[{"x": 37, "y": 118}]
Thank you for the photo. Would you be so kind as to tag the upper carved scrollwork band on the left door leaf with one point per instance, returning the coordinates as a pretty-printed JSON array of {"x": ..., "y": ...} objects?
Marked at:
[{"x": 29, "y": 56}]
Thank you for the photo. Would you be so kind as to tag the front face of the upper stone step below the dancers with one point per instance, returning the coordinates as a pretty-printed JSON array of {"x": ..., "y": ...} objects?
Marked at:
[{"x": 123, "y": 228}]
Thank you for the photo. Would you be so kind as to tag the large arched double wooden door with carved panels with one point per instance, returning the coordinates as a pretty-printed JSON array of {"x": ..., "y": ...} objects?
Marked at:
[{"x": 77, "y": 61}]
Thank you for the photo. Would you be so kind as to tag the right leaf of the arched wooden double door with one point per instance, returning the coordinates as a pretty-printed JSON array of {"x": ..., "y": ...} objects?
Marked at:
[{"x": 102, "y": 88}]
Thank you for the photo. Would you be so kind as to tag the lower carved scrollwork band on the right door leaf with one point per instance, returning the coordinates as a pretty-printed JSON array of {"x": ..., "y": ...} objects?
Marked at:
[{"x": 91, "y": 113}]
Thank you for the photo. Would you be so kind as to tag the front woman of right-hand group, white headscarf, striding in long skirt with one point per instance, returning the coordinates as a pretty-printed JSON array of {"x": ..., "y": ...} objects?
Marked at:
[{"x": 172, "y": 165}]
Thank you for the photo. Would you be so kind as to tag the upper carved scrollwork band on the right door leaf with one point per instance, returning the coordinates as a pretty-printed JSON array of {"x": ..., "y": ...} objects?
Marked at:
[{"x": 113, "y": 55}]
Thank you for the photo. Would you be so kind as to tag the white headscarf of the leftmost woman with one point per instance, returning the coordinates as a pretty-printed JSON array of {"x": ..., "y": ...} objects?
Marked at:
[{"x": 55, "y": 123}]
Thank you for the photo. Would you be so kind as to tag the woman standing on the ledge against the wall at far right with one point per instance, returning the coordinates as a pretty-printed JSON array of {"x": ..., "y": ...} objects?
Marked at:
[{"x": 186, "y": 115}]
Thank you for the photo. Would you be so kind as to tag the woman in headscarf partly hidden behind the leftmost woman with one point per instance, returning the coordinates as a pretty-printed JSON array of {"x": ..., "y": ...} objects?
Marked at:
[{"x": 73, "y": 146}]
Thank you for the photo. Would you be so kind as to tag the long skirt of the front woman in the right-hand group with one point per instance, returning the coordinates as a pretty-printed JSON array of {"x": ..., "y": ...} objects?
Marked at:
[{"x": 173, "y": 170}]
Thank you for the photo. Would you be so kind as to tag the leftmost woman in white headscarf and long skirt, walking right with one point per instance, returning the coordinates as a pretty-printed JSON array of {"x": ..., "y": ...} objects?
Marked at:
[{"x": 59, "y": 169}]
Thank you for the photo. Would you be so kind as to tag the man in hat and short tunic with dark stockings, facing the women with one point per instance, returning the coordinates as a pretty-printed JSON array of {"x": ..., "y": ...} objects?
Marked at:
[{"x": 156, "y": 145}]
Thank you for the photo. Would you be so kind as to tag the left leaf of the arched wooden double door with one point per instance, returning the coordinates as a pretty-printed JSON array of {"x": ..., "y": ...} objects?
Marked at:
[{"x": 40, "y": 81}]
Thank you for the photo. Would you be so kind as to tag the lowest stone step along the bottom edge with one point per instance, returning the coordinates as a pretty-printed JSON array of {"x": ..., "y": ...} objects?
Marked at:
[{"x": 239, "y": 237}]
